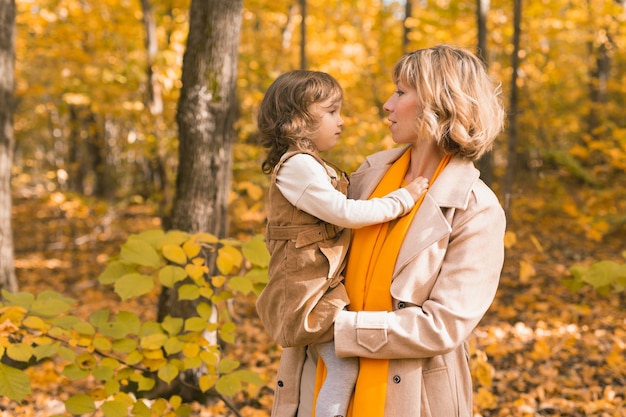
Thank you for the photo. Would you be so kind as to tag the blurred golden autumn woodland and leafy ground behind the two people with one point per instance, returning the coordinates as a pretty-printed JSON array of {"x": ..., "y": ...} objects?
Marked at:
[{"x": 541, "y": 350}]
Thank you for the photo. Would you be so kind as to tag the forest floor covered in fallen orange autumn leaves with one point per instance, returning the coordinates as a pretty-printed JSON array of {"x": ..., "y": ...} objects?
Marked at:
[{"x": 541, "y": 350}]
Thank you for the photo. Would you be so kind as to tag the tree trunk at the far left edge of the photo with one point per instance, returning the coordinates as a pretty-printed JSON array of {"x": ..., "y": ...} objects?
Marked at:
[{"x": 8, "y": 279}]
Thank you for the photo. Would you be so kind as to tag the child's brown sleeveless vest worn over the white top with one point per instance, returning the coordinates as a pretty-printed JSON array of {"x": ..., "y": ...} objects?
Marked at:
[{"x": 305, "y": 290}]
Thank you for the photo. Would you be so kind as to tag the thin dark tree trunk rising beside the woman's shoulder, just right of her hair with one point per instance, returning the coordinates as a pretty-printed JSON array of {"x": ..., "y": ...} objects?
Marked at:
[{"x": 513, "y": 102}]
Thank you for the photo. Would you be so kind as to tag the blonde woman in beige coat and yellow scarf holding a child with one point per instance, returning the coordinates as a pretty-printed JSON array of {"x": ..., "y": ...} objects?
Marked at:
[{"x": 419, "y": 285}]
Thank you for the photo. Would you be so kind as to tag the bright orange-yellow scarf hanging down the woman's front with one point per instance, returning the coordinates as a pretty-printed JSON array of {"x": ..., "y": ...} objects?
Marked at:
[{"x": 373, "y": 253}]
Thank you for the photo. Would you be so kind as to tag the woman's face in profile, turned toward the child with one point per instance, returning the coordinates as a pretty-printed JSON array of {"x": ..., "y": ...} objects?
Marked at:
[{"x": 403, "y": 108}]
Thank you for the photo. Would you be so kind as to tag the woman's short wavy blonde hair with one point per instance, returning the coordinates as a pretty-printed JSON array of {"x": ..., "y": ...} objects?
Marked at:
[{"x": 462, "y": 106}]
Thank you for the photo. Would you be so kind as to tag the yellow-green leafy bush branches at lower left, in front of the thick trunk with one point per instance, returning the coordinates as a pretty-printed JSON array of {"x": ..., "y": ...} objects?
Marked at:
[{"x": 120, "y": 350}]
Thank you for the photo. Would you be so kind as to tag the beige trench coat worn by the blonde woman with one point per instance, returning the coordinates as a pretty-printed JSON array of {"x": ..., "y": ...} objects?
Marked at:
[{"x": 444, "y": 281}]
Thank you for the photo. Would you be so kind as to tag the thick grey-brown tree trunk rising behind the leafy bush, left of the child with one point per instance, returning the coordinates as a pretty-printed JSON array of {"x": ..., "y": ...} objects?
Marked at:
[{"x": 206, "y": 114}]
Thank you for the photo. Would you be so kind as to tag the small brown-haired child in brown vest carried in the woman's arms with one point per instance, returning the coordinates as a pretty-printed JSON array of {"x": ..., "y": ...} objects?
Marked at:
[{"x": 298, "y": 119}]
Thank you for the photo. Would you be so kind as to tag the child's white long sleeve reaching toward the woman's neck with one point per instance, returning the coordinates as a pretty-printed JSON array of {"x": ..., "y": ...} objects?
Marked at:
[{"x": 305, "y": 183}]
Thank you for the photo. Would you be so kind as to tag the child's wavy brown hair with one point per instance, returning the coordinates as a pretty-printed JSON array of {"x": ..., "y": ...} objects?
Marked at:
[{"x": 286, "y": 117}]
